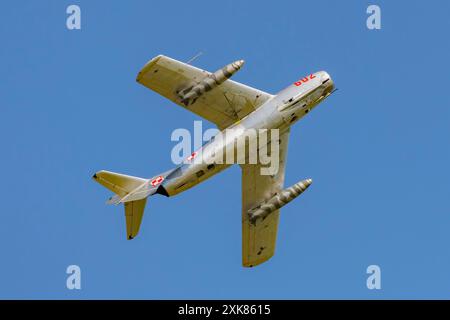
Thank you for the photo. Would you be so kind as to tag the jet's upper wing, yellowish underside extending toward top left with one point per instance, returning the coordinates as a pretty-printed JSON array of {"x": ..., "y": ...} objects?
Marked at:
[{"x": 223, "y": 105}]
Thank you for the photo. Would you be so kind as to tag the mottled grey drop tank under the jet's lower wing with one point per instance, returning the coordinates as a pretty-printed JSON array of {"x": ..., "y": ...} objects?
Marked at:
[{"x": 279, "y": 200}]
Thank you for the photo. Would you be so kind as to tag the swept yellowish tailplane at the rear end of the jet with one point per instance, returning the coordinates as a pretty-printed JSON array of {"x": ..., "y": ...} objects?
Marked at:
[{"x": 132, "y": 191}]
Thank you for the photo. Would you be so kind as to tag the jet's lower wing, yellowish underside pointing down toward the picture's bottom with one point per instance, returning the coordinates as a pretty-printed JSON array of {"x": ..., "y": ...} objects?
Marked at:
[{"x": 259, "y": 236}]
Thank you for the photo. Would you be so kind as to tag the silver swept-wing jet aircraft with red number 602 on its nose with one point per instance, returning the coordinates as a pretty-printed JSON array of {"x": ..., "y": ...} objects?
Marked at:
[{"x": 229, "y": 105}]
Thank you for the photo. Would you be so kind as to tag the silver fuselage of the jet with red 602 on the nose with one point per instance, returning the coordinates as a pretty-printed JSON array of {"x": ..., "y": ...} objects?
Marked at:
[{"x": 279, "y": 112}]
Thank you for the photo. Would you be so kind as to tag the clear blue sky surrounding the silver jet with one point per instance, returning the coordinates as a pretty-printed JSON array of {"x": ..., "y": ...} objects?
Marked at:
[{"x": 378, "y": 150}]
